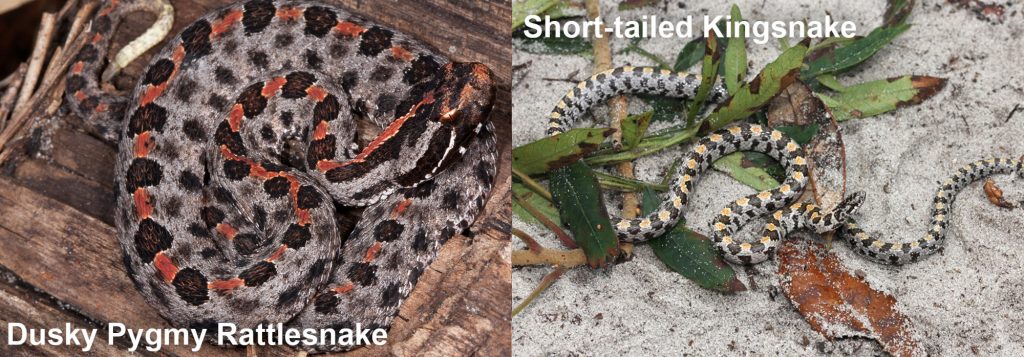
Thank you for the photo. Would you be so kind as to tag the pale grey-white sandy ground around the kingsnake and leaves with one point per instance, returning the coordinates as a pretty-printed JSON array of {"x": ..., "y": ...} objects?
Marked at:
[{"x": 967, "y": 301}]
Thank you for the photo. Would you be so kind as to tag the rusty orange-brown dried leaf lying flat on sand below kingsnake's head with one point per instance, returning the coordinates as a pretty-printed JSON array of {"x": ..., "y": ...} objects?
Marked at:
[{"x": 839, "y": 304}]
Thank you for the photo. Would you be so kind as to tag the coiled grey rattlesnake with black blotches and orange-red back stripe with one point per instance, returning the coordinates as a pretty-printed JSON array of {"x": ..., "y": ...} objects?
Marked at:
[{"x": 238, "y": 145}]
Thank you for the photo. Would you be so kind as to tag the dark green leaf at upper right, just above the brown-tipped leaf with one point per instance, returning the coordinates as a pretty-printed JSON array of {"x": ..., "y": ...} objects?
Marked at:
[{"x": 854, "y": 54}]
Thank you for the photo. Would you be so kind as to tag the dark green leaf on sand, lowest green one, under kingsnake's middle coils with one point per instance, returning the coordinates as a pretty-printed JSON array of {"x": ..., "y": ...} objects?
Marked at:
[{"x": 692, "y": 255}]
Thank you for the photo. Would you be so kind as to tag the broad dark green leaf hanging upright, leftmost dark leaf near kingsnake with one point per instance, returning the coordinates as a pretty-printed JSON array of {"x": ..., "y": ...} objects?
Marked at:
[{"x": 580, "y": 205}]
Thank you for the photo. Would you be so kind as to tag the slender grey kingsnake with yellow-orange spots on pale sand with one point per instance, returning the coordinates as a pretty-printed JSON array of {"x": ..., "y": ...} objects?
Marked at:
[{"x": 786, "y": 216}]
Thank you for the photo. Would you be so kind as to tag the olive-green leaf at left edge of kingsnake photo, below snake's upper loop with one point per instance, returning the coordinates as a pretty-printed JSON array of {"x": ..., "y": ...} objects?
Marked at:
[{"x": 556, "y": 152}]
